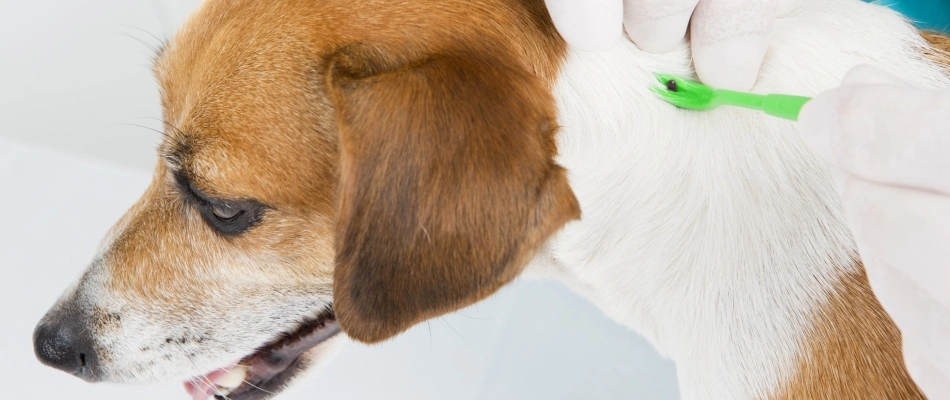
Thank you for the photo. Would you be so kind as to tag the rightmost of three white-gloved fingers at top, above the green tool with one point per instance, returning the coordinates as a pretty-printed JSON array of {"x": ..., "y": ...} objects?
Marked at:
[{"x": 729, "y": 40}]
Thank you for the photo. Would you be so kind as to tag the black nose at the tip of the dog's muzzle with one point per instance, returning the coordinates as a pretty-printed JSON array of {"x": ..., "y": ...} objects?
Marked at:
[{"x": 61, "y": 343}]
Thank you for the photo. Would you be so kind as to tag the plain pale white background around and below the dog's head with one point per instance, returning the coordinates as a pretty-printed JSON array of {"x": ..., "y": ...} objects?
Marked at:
[{"x": 76, "y": 99}]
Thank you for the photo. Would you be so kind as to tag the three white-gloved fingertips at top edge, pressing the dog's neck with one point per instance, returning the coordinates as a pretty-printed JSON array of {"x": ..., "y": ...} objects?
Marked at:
[{"x": 728, "y": 37}]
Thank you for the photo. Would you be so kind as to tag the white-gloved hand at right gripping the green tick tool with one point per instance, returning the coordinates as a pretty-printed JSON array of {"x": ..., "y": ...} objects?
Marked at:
[{"x": 889, "y": 146}]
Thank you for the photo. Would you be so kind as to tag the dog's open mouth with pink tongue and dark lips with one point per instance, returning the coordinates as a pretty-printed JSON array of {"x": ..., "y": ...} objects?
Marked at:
[{"x": 269, "y": 369}]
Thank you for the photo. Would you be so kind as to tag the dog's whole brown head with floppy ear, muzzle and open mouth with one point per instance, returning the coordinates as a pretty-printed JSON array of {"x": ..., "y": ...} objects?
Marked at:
[{"x": 326, "y": 165}]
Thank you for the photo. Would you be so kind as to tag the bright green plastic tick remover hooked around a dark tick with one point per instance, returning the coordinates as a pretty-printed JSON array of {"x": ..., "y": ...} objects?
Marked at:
[{"x": 696, "y": 96}]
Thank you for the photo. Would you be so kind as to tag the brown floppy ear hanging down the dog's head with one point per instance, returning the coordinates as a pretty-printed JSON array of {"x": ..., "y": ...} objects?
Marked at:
[{"x": 447, "y": 185}]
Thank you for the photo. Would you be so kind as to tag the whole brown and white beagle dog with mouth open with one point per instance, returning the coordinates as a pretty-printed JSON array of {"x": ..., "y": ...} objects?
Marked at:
[{"x": 360, "y": 166}]
